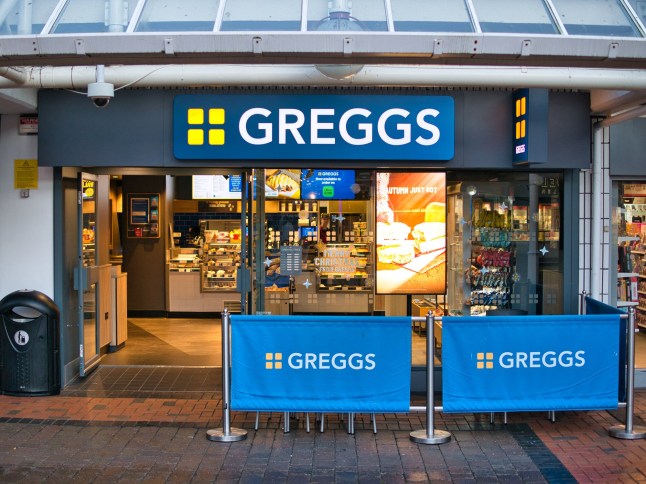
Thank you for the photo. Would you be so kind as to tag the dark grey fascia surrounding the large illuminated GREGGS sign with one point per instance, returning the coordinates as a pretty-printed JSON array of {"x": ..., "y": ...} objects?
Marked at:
[{"x": 136, "y": 130}]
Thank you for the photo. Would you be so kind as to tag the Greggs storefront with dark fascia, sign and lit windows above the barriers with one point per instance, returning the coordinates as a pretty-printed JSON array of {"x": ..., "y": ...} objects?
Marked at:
[{"x": 317, "y": 201}]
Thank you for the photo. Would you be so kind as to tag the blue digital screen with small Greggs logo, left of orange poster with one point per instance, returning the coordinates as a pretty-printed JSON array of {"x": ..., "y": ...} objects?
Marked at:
[{"x": 329, "y": 185}]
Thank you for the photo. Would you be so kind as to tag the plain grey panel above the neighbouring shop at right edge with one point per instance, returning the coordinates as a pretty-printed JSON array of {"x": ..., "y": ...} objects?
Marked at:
[{"x": 628, "y": 149}]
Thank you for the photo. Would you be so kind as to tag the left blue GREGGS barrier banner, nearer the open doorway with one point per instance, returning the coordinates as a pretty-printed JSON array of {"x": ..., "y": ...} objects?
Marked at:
[{"x": 318, "y": 363}]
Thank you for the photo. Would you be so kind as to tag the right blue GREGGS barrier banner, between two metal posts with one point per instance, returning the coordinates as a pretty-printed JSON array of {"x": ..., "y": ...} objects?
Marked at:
[{"x": 530, "y": 363}]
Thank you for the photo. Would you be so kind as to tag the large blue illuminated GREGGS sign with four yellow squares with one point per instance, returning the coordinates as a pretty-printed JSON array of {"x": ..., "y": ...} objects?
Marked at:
[{"x": 235, "y": 126}]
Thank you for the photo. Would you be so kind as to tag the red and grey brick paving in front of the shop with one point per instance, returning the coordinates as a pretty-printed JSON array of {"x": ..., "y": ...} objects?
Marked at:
[{"x": 123, "y": 425}]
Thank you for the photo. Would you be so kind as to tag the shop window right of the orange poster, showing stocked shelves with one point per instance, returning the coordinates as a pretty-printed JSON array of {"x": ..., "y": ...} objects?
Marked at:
[{"x": 505, "y": 245}]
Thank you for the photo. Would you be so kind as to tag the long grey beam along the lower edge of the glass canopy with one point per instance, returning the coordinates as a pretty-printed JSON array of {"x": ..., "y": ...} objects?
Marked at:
[{"x": 390, "y": 48}]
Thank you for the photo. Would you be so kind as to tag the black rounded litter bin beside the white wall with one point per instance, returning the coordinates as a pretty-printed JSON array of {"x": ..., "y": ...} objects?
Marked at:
[{"x": 29, "y": 345}]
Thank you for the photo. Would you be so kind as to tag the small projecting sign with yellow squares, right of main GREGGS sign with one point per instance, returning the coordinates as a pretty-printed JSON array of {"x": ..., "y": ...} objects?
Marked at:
[{"x": 530, "y": 126}]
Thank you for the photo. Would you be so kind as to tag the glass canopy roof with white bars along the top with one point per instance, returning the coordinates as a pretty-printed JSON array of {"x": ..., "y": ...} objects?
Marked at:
[{"x": 598, "y": 18}]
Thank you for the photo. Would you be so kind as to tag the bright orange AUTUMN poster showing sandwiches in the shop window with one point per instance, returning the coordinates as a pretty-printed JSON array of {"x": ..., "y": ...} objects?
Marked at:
[{"x": 411, "y": 233}]
